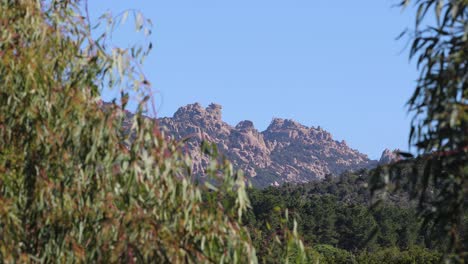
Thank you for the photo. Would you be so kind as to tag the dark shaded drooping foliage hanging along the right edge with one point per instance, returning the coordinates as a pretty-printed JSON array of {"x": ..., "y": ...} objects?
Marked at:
[{"x": 438, "y": 131}]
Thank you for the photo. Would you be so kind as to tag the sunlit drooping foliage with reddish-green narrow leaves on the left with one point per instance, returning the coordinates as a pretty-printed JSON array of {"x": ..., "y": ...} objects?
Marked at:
[{"x": 77, "y": 184}]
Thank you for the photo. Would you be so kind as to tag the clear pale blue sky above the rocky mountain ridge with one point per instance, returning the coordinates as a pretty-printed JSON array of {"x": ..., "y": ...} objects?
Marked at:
[{"x": 334, "y": 64}]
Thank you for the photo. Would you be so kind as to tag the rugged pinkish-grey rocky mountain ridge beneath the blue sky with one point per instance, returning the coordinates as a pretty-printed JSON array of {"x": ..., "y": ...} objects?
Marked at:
[{"x": 285, "y": 152}]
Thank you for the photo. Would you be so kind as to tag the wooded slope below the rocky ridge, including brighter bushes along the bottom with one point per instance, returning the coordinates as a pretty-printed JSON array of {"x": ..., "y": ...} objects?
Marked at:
[{"x": 338, "y": 222}]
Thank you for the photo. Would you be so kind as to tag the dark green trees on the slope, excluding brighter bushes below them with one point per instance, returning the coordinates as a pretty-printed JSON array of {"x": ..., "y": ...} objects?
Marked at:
[{"x": 336, "y": 212}]
